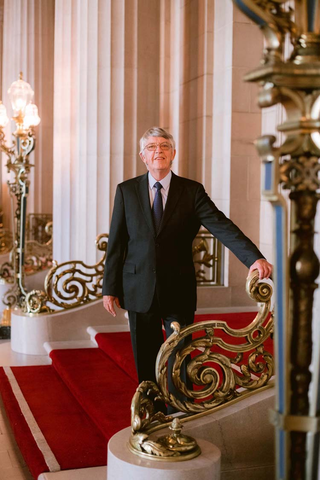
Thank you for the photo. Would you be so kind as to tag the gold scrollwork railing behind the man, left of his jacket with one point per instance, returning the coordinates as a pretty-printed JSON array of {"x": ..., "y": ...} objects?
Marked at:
[{"x": 69, "y": 284}]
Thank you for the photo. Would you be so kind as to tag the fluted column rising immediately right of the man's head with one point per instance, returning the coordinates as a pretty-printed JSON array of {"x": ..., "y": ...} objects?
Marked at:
[{"x": 186, "y": 84}]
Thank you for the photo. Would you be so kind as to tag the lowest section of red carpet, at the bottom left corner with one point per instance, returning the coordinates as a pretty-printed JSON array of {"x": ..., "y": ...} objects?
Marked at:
[{"x": 74, "y": 440}]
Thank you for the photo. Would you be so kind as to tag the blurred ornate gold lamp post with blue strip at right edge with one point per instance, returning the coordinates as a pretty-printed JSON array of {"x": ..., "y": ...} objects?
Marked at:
[{"x": 293, "y": 82}]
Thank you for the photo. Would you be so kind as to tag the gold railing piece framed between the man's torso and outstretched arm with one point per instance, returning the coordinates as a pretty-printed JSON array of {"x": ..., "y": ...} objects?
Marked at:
[{"x": 207, "y": 258}]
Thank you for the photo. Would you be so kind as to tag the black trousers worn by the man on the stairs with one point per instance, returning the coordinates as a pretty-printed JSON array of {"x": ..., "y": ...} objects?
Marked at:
[{"x": 147, "y": 338}]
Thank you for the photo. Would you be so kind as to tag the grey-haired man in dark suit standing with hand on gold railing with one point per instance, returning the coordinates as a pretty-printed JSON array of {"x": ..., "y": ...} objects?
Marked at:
[{"x": 149, "y": 266}]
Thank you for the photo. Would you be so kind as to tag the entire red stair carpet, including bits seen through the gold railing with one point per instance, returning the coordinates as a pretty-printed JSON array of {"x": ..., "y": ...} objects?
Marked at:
[{"x": 83, "y": 399}]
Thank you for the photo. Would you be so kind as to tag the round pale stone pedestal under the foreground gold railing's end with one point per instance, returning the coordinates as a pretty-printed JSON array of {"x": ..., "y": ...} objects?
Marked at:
[{"x": 124, "y": 464}]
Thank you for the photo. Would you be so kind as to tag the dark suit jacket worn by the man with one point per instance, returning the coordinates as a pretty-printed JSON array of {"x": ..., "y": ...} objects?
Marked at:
[{"x": 139, "y": 261}]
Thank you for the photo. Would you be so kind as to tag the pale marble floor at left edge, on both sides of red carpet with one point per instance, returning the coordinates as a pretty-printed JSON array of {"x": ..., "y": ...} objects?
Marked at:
[{"x": 12, "y": 465}]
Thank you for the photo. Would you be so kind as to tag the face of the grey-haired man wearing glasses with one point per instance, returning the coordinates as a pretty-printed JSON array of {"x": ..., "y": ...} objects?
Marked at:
[{"x": 158, "y": 161}]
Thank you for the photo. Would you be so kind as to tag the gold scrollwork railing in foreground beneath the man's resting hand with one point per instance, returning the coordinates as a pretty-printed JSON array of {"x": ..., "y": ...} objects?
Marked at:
[{"x": 222, "y": 368}]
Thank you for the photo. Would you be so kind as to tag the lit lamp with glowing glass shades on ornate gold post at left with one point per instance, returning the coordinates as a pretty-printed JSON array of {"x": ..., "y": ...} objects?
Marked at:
[{"x": 26, "y": 117}]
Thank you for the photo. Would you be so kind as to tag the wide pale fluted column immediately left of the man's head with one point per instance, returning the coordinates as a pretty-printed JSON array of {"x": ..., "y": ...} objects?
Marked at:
[{"x": 106, "y": 96}]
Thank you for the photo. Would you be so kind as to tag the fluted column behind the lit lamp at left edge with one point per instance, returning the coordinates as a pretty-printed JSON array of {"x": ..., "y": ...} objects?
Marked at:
[{"x": 28, "y": 29}]
